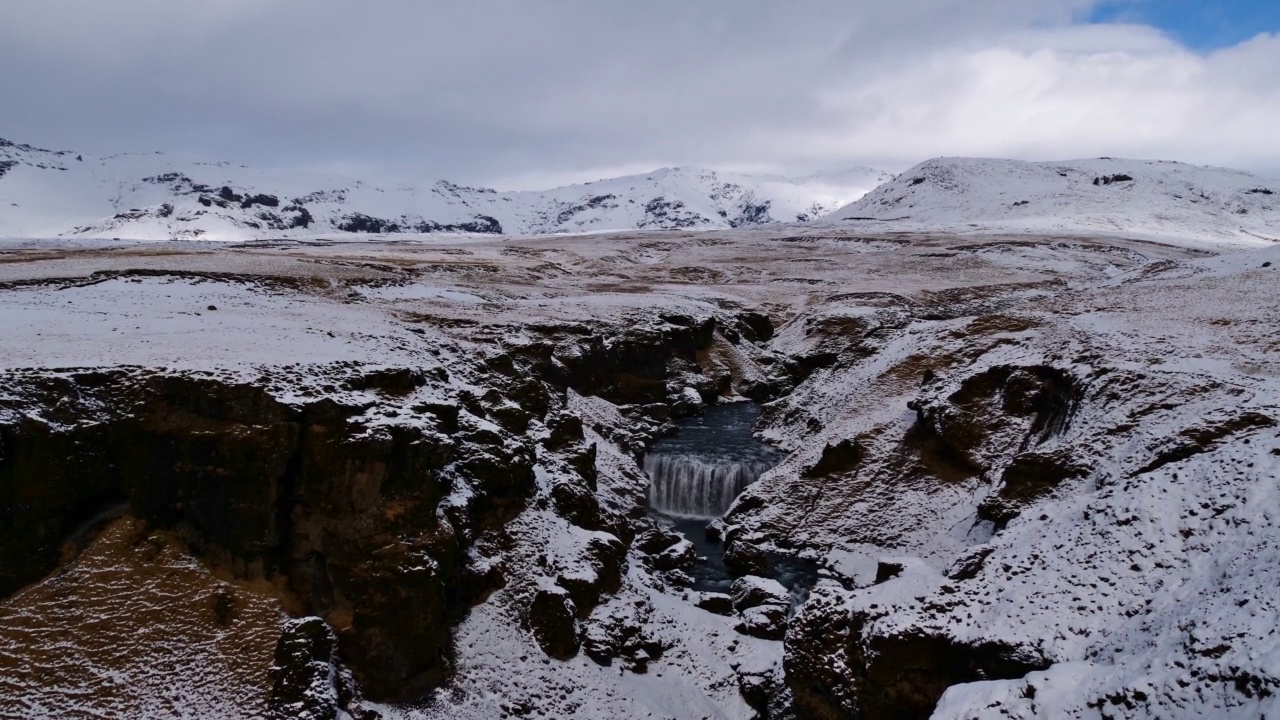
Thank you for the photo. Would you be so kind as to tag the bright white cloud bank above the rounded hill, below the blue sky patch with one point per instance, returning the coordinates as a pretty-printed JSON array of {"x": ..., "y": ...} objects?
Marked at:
[{"x": 1072, "y": 93}]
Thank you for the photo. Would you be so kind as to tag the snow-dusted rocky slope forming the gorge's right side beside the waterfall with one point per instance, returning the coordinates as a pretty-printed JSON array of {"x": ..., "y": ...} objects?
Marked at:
[{"x": 1081, "y": 499}]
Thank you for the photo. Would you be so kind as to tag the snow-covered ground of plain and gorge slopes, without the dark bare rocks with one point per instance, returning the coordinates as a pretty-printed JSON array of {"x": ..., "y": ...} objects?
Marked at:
[{"x": 1130, "y": 584}]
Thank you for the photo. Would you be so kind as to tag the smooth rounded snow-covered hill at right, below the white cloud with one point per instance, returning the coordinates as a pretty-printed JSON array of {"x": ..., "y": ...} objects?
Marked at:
[{"x": 1107, "y": 195}]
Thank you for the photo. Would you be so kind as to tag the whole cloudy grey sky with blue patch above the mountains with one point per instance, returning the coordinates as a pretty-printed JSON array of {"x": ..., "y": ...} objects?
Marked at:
[{"x": 537, "y": 93}]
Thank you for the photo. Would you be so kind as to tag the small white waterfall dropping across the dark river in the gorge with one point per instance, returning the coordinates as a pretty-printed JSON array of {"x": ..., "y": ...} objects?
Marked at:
[{"x": 697, "y": 486}]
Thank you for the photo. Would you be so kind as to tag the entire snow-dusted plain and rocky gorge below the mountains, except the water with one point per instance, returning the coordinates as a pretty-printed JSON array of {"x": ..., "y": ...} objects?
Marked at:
[{"x": 401, "y": 480}]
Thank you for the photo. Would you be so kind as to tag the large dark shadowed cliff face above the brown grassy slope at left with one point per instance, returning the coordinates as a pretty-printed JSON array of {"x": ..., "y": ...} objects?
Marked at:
[{"x": 346, "y": 516}]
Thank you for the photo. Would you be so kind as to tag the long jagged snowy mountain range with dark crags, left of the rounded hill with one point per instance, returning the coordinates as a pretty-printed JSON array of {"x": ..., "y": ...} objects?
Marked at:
[{"x": 157, "y": 197}]
